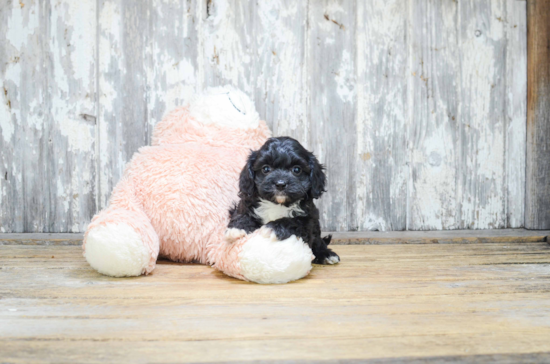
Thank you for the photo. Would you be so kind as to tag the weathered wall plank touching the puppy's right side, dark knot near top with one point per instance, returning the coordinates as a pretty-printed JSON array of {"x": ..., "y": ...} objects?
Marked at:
[{"x": 332, "y": 93}]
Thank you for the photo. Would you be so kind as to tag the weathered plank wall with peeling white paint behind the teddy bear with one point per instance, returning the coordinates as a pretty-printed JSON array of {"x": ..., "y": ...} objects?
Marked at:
[{"x": 416, "y": 107}]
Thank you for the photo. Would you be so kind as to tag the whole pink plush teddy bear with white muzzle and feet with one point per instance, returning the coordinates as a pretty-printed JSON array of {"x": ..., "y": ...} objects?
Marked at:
[{"x": 174, "y": 197}]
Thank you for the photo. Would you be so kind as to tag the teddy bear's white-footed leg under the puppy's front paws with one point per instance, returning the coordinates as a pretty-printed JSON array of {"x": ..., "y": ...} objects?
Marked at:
[{"x": 261, "y": 258}]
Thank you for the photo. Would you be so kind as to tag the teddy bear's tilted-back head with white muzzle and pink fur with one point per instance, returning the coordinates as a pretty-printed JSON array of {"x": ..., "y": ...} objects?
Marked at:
[{"x": 221, "y": 116}]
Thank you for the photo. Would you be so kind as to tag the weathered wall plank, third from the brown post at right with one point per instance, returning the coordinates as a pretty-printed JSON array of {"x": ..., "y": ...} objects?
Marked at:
[{"x": 434, "y": 131}]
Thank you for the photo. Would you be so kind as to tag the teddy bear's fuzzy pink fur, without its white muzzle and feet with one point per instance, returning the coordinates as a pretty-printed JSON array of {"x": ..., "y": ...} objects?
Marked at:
[{"x": 176, "y": 193}]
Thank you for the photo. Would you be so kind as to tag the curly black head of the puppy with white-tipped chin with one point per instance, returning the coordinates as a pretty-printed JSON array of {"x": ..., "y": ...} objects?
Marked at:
[{"x": 283, "y": 172}]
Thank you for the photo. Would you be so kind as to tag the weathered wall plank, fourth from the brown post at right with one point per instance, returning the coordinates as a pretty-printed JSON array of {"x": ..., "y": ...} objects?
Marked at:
[{"x": 380, "y": 166}]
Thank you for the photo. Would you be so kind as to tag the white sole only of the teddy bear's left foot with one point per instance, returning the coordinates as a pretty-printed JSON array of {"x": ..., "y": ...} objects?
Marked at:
[{"x": 116, "y": 250}]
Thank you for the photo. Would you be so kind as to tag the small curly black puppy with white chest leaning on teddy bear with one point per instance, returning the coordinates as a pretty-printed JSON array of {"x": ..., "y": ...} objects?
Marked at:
[{"x": 277, "y": 188}]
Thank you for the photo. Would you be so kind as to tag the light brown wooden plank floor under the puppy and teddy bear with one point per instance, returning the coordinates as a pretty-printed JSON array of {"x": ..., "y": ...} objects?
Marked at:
[{"x": 386, "y": 303}]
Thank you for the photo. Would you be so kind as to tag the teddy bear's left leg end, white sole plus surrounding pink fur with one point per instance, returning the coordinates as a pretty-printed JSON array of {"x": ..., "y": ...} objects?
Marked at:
[{"x": 121, "y": 243}]
